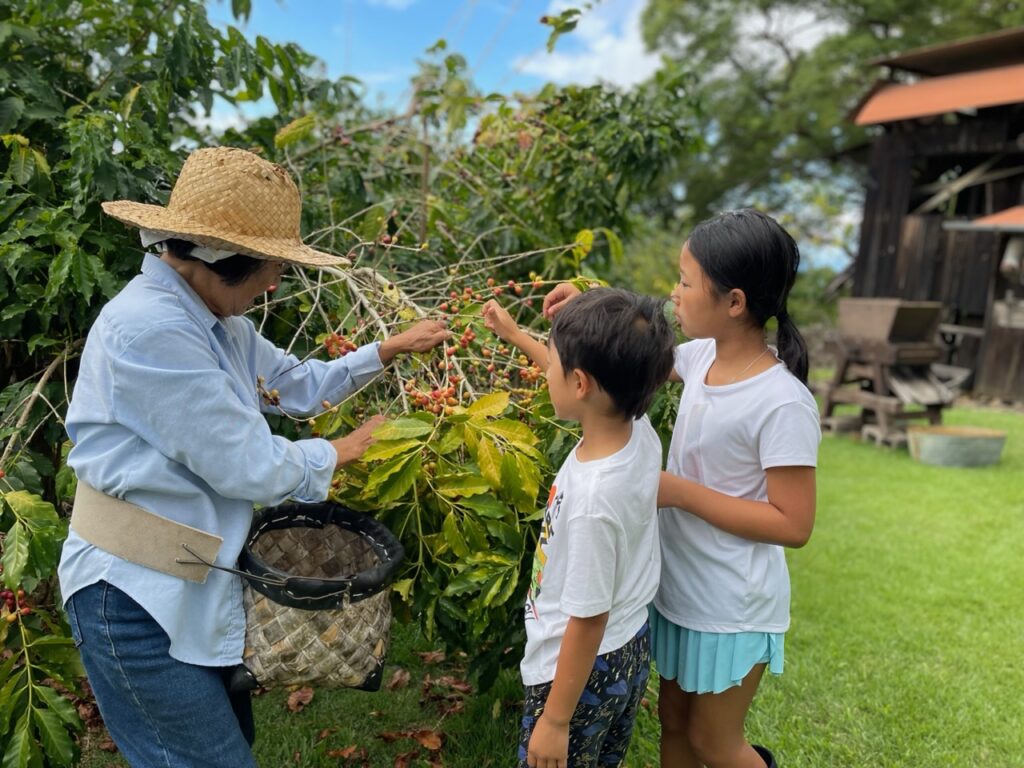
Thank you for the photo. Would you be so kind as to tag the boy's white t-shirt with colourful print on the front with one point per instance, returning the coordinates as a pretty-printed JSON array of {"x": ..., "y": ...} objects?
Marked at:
[{"x": 599, "y": 551}]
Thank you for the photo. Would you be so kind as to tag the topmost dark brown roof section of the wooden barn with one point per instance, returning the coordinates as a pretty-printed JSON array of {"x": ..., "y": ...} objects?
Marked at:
[{"x": 982, "y": 53}]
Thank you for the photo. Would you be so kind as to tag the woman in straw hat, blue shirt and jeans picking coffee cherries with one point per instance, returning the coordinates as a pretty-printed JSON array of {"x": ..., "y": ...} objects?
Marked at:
[{"x": 170, "y": 448}]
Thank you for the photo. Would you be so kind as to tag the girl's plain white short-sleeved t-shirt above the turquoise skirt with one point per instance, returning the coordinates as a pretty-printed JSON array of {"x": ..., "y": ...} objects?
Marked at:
[{"x": 726, "y": 438}]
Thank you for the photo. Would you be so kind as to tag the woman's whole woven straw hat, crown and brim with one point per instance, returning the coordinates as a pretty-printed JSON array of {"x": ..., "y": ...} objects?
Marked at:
[{"x": 231, "y": 200}]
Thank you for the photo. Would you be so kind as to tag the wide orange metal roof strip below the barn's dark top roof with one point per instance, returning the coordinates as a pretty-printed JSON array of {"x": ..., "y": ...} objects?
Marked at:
[{"x": 938, "y": 96}]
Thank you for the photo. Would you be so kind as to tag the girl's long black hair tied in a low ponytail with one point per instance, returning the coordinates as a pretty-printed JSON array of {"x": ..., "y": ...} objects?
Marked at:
[{"x": 750, "y": 251}]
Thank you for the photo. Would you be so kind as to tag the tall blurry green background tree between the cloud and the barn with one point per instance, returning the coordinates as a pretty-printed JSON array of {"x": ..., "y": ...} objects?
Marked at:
[{"x": 777, "y": 83}]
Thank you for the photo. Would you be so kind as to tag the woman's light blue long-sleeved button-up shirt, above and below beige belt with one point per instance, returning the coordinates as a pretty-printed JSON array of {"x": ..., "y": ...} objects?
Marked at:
[{"x": 166, "y": 415}]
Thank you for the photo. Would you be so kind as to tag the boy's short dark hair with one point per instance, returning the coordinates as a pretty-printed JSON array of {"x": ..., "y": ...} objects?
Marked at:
[{"x": 620, "y": 338}]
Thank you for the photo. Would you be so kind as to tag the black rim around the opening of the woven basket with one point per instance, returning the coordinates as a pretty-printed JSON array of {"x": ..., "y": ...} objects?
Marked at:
[{"x": 310, "y": 592}]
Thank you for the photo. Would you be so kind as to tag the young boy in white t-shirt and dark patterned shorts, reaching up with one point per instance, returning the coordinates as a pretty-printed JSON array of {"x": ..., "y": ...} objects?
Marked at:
[{"x": 598, "y": 561}]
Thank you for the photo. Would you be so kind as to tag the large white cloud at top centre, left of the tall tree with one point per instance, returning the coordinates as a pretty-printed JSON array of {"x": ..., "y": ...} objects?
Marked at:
[{"x": 607, "y": 47}]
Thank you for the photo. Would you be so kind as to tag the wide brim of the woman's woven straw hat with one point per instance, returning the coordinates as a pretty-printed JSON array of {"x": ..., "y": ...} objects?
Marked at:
[{"x": 161, "y": 220}]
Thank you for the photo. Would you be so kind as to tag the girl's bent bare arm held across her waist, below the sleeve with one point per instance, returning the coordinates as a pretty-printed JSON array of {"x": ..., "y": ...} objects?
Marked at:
[{"x": 787, "y": 519}]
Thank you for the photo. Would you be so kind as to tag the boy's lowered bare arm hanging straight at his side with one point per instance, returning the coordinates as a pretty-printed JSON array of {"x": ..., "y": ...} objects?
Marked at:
[{"x": 550, "y": 742}]
